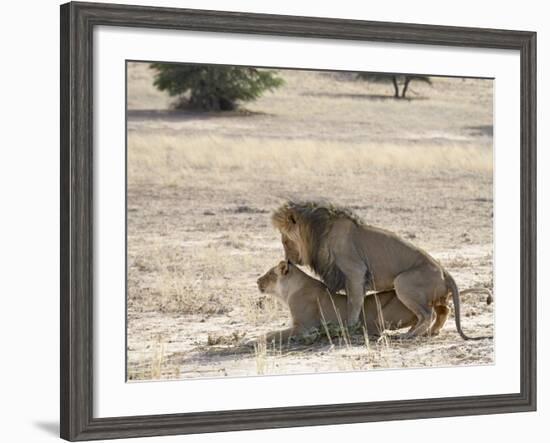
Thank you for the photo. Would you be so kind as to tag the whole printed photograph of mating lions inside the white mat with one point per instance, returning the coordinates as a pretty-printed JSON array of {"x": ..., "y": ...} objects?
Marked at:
[{"x": 286, "y": 221}]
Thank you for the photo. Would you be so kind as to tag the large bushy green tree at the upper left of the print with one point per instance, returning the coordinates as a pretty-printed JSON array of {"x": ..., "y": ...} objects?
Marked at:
[{"x": 213, "y": 88}]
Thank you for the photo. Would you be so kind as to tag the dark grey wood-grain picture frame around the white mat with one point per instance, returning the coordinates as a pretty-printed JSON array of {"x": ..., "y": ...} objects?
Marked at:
[{"x": 77, "y": 23}]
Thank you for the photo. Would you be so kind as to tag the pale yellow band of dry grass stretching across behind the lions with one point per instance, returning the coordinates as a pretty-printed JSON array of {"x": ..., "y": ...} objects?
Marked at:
[{"x": 175, "y": 159}]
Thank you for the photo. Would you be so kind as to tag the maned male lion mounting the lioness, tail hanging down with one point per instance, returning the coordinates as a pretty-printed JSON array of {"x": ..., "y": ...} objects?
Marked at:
[{"x": 348, "y": 254}]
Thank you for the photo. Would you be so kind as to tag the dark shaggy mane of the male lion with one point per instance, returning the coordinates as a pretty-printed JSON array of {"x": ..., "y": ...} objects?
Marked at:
[{"x": 318, "y": 218}]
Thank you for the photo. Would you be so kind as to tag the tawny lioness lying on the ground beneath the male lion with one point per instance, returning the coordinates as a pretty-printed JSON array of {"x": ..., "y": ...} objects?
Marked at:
[{"x": 311, "y": 304}]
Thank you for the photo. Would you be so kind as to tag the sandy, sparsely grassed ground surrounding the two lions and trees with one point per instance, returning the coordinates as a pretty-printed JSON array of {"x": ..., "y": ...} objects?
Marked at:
[{"x": 201, "y": 188}]
